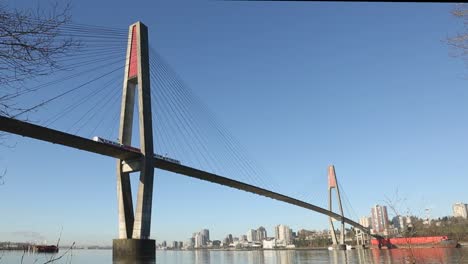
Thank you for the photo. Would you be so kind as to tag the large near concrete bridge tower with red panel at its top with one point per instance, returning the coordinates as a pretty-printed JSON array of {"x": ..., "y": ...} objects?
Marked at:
[{"x": 134, "y": 228}]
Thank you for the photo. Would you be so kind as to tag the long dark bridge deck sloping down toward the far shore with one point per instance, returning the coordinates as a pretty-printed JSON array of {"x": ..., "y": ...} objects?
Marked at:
[{"x": 57, "y": 137}]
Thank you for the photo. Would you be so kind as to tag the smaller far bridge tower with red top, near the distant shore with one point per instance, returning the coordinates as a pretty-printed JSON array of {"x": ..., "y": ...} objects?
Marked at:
[{"x": 333, "y": 184}]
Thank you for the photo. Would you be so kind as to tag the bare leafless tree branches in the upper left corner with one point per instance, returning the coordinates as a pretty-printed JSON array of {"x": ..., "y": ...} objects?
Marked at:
[{"x": 31, "y": 44}]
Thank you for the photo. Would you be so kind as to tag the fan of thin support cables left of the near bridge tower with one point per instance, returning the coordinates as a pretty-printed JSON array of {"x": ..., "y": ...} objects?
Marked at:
[{"x": 96, "y": 50}]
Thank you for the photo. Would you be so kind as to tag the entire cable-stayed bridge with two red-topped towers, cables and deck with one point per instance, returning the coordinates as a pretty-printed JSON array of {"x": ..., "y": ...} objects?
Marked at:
[{"x": 174, "y": 115}]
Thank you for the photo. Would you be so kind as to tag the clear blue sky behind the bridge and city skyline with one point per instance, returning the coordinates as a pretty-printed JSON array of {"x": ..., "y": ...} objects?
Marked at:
[{"x": 368, "y": 87}]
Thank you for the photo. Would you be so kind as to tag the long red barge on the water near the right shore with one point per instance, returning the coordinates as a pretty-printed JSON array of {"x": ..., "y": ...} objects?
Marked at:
[{"x": 412, "y": 242}]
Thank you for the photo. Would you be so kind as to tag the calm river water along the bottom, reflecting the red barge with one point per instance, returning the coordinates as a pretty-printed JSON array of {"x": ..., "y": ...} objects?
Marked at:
[{"x": 424, "y": 255}]
